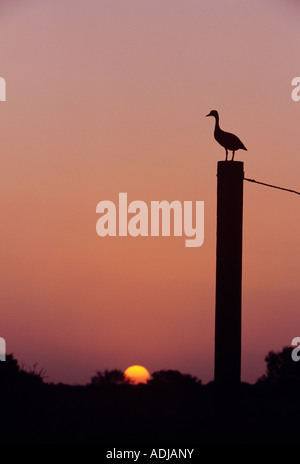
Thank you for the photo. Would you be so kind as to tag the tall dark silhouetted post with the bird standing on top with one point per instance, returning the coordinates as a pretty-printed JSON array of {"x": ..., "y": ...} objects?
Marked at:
[{"x": 229, "y": 273}]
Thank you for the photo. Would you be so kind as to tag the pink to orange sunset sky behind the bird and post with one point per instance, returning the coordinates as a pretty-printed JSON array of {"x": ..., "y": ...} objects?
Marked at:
[{"x": 109, "y": 96}]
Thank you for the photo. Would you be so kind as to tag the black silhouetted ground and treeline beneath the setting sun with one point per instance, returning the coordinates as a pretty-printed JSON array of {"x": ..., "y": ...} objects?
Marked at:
[{"x": 174, "y": 409}]
